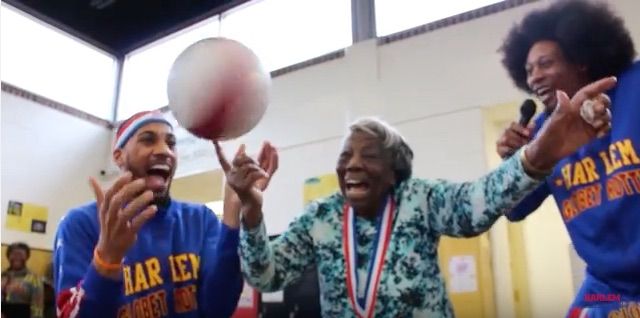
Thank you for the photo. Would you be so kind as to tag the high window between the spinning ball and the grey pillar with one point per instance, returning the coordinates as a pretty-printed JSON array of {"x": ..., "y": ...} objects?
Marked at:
[{"x": 286, "y": 32}]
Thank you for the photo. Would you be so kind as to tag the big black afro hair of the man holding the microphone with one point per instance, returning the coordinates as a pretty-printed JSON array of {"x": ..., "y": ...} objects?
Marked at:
[{"x": 588, "y": 33}]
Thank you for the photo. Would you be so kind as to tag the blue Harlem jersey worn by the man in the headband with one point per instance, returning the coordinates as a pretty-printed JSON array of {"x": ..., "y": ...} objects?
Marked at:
[{"x": 184, "y": 263}]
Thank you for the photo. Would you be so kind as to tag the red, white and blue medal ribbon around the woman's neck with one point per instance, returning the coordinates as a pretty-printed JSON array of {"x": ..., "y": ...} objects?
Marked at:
[{"x": 364, "y": 304}]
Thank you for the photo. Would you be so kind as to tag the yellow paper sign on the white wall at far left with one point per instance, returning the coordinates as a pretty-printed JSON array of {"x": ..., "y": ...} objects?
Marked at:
[{"x": 27, "y": 217}]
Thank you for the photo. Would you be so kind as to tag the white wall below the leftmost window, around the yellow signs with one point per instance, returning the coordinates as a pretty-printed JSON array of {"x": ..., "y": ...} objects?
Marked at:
[{"x": 47, "y": 158}]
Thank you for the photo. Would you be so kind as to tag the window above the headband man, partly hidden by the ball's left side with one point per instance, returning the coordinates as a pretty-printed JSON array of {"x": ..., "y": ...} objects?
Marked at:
[{"x": 145, "y": 72}]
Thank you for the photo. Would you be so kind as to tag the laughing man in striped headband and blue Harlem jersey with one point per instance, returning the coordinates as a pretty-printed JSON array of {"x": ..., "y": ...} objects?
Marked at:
[{"x": 138, "y": 252}]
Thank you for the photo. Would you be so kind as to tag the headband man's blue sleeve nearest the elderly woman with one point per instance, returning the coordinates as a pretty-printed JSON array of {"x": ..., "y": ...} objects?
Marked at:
[{"x": 221, "y": 277}]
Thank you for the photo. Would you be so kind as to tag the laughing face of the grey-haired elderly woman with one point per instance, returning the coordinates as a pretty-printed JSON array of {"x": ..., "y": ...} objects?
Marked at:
[{"x": 365, "y": 172}]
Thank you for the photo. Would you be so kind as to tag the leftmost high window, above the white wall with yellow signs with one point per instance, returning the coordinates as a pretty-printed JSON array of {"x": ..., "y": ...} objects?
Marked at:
[{"x": 47, "y": 62}]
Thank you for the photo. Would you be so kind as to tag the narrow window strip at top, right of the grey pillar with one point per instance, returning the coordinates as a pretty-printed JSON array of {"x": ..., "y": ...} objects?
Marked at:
[{"x": 397, "y": 15}]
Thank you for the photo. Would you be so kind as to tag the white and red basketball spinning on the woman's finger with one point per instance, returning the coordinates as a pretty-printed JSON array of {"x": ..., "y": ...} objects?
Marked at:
[{"x": 218, "y": 89}]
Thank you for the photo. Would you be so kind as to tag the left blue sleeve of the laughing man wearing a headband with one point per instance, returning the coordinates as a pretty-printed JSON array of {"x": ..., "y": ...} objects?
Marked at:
[{"x": 80, "y": 290}]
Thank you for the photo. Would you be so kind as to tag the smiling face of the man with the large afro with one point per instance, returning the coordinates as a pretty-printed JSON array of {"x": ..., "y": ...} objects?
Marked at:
[{"x": 548, "y": 70}]
